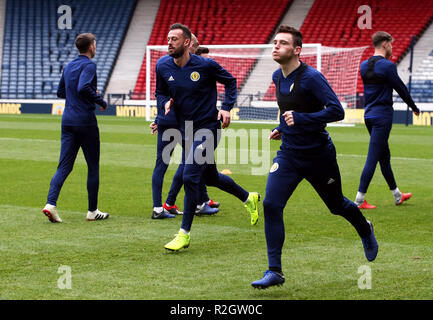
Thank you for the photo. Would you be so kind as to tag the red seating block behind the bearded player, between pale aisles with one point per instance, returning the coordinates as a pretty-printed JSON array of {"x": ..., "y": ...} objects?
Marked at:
[{"x": 216, "y": 22}]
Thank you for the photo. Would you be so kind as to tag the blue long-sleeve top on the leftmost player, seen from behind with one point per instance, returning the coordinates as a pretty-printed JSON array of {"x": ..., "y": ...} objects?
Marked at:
[{"x": 78, "y": 86}]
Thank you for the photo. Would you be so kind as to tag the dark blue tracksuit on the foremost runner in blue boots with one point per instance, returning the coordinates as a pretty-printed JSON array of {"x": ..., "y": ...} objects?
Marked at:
[{"x": 306, "y": 152}]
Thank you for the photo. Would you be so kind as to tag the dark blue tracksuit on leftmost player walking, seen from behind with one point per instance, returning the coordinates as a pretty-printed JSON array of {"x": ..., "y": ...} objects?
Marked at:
[{"x": 79, "y": 126}]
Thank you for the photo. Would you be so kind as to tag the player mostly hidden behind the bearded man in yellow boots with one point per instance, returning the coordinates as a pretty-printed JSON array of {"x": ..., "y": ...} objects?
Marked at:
[{"x": 169, "y": 209}]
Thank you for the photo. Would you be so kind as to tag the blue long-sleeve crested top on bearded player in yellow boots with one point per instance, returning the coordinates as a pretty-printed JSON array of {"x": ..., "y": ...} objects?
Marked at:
[{"x": 193, "y": 89}]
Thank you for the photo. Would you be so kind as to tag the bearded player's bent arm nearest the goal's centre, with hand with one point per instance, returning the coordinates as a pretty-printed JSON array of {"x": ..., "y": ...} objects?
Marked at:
[{"x": 229, "y": 82}]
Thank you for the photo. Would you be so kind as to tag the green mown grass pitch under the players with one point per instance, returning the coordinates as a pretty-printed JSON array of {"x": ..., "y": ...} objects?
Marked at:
[{"x": 124, "y": 257}]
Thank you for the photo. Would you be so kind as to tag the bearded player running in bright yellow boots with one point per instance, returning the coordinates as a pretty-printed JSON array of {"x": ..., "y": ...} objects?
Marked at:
[{"x": 194, "y": 100}]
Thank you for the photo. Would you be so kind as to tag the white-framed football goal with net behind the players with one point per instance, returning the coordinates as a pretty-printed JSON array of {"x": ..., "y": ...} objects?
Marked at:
[{"x": 252, "y": 65}]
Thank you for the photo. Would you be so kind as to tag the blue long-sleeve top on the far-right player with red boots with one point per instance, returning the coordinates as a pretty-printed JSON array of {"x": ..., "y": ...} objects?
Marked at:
[{"x": 378, "y": 97}]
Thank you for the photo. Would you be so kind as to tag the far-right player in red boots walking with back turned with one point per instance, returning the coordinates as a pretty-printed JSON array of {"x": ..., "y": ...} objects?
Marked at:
[{"x": 380, "y": 77}]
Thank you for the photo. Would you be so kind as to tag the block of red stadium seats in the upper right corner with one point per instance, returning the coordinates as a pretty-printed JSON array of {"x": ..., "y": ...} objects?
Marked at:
[{"x": 335, "y": 23}]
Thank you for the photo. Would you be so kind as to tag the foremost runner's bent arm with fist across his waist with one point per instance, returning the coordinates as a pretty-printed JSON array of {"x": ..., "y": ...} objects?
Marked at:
[{"x": 320, "y": 88}]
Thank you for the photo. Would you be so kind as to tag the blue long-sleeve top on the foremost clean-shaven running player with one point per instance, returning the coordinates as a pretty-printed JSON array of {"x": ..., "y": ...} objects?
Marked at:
[{"x": 308, "y": 131}]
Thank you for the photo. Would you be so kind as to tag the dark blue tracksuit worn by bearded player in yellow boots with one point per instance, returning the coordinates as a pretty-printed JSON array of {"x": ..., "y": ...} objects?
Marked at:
[{"x": 193, "y": 89}]
